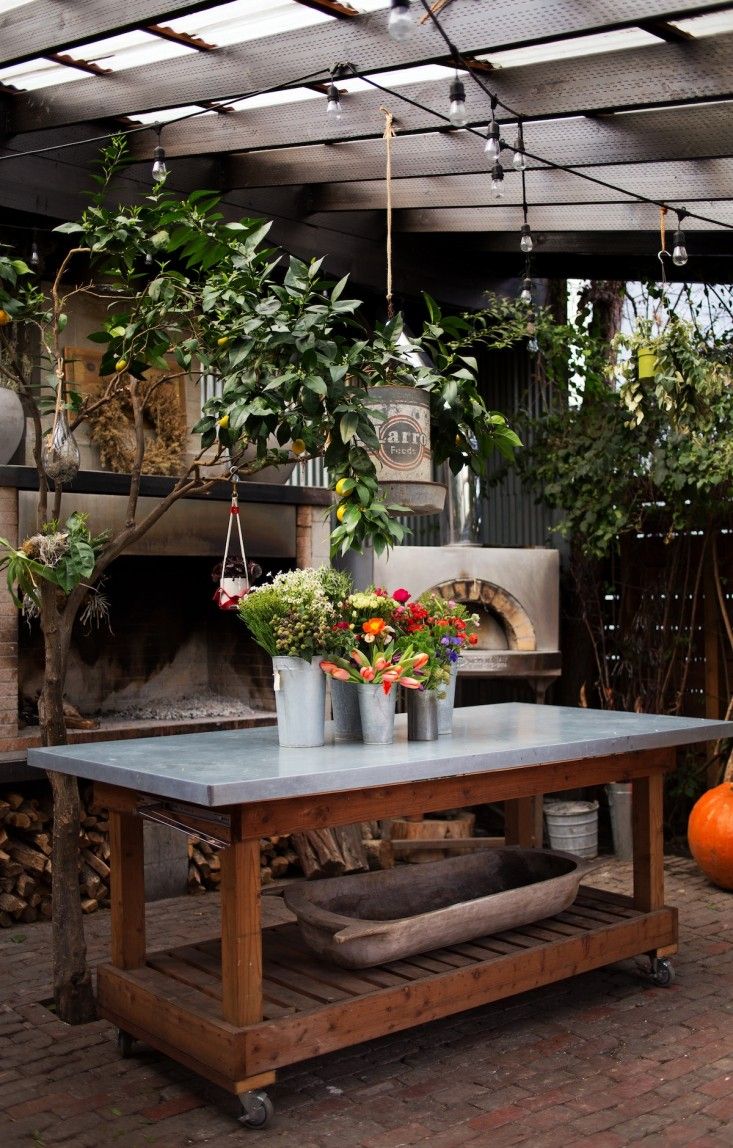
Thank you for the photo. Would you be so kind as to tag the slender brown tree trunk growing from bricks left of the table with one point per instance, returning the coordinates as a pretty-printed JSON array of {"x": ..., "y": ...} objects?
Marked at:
[{"x": 73, "y": 982}]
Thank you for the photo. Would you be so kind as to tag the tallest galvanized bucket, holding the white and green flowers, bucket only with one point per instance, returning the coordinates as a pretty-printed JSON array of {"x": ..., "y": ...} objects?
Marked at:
[{"x": 300, "y": 701}]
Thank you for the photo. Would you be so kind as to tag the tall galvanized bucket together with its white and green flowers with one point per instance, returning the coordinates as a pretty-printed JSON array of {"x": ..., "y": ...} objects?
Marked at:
[{"x": 294, "y": 619}]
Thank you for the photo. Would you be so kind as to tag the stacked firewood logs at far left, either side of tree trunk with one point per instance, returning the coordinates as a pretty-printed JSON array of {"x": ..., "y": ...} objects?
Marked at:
[{"x": 26, "y": 867}]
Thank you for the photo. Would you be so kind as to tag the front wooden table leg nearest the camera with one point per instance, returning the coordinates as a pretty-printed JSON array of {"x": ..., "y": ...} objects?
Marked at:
[{"x": 241, "y": 928}]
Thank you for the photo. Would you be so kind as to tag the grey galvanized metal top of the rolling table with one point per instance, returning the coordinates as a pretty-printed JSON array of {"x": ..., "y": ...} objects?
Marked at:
[{"x": 231, "y": 767}]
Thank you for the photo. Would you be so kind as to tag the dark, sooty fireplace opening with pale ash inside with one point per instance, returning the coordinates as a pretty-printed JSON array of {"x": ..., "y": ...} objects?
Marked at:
[{"x": 166, "y": 651}]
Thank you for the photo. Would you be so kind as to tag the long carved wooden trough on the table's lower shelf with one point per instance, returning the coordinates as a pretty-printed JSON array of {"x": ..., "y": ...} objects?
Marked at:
[{"x": 375, "y": 918}]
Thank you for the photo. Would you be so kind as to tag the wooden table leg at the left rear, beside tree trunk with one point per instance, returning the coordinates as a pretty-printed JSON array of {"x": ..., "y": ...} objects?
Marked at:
[{"x": 127, "y": 889}]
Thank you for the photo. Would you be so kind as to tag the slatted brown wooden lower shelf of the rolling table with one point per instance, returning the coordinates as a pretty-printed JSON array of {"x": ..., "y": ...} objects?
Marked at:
[{"x": 314, "y": 1007}]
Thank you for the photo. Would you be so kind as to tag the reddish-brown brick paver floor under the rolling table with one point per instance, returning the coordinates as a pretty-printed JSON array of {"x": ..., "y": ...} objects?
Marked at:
[{"x": 603, "y": 1060}]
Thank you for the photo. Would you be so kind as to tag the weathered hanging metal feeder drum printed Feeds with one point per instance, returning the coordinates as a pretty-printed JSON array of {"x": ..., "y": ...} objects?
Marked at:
[{"x": 404, "y": 463}]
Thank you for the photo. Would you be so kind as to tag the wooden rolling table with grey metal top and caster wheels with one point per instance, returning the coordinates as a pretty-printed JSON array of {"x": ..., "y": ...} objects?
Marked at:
[{"x": 239, "y": 1007}]
